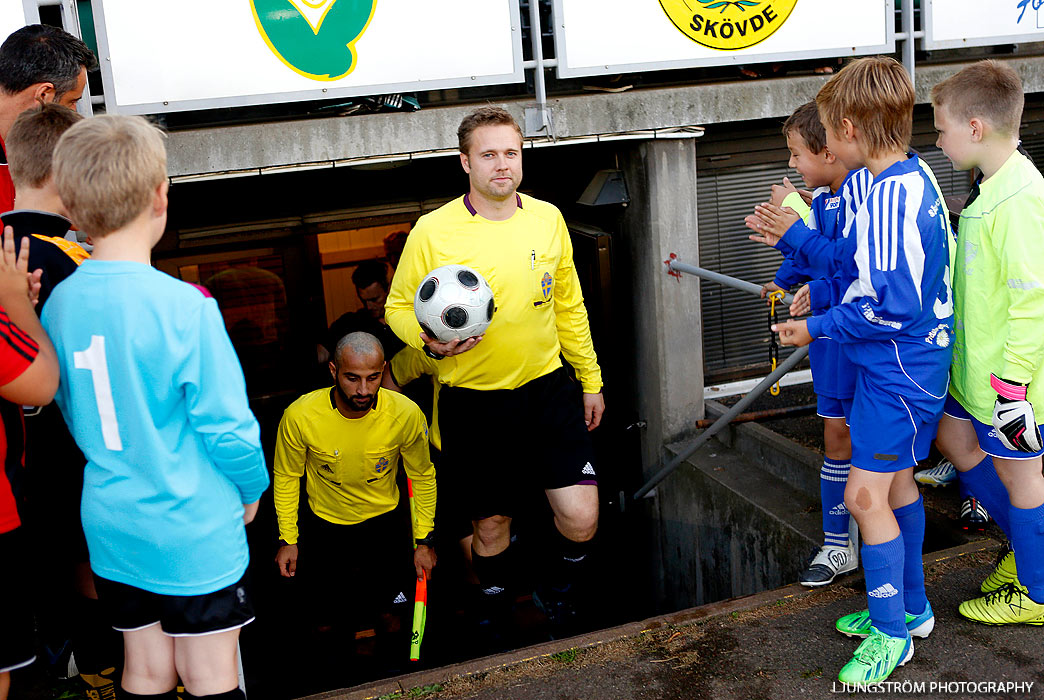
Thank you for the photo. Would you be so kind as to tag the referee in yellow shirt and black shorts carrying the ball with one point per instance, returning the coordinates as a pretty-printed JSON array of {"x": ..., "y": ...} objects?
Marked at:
[{"x": 509, "y": 413}]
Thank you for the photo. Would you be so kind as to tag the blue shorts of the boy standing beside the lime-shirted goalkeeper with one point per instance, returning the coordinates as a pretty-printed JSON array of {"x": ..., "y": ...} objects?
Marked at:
[{"x": 890, "y": 433}]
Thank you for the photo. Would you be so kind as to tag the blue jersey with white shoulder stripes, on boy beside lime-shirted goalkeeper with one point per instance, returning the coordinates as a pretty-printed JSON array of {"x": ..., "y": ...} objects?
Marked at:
[{"x": 895, "y": 315}]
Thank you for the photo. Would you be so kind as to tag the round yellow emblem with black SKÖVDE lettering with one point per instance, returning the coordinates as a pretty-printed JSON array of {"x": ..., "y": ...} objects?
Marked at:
[{"x": 728, "y": 26}]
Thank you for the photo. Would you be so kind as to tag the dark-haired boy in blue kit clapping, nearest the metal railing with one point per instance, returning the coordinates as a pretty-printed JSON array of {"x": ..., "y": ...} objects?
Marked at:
[{"x": 833, "y": 374}]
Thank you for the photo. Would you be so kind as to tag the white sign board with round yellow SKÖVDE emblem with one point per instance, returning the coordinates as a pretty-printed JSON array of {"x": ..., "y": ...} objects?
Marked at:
[{"x": 606, "y": 37}]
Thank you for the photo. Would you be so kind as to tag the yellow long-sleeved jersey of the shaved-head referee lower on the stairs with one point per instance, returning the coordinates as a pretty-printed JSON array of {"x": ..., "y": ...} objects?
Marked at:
[{"x": 350, "y": 465}]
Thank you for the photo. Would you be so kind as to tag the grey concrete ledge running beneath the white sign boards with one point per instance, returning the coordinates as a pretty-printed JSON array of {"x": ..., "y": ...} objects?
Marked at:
[{"x": 325, "y": 141}]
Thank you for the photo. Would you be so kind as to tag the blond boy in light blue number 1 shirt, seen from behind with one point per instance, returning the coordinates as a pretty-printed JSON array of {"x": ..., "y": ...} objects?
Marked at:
[{"x": 155, "y": 398}]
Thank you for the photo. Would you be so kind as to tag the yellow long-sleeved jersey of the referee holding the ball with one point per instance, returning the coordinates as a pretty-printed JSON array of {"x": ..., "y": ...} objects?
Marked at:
[{"x": 529, "y": 263}]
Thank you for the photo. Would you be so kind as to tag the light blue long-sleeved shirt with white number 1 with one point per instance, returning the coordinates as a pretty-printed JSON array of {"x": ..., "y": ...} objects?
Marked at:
[{"x": 155, "y": 398}]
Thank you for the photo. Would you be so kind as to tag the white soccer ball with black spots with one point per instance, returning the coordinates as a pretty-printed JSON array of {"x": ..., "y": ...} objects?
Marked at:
[{"x": 454, "y": 302}]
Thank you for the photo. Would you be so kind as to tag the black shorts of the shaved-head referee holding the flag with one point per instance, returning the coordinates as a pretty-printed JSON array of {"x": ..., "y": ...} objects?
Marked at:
[{"x": 351, "y": 573}]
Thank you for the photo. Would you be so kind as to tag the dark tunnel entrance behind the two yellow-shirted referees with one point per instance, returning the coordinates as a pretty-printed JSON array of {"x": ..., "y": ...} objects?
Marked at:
[{"x": 278, "y": 254}]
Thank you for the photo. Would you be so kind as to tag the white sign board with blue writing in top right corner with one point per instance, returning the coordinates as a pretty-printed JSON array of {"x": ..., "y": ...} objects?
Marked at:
[{"x": 957, "y": 24}]
